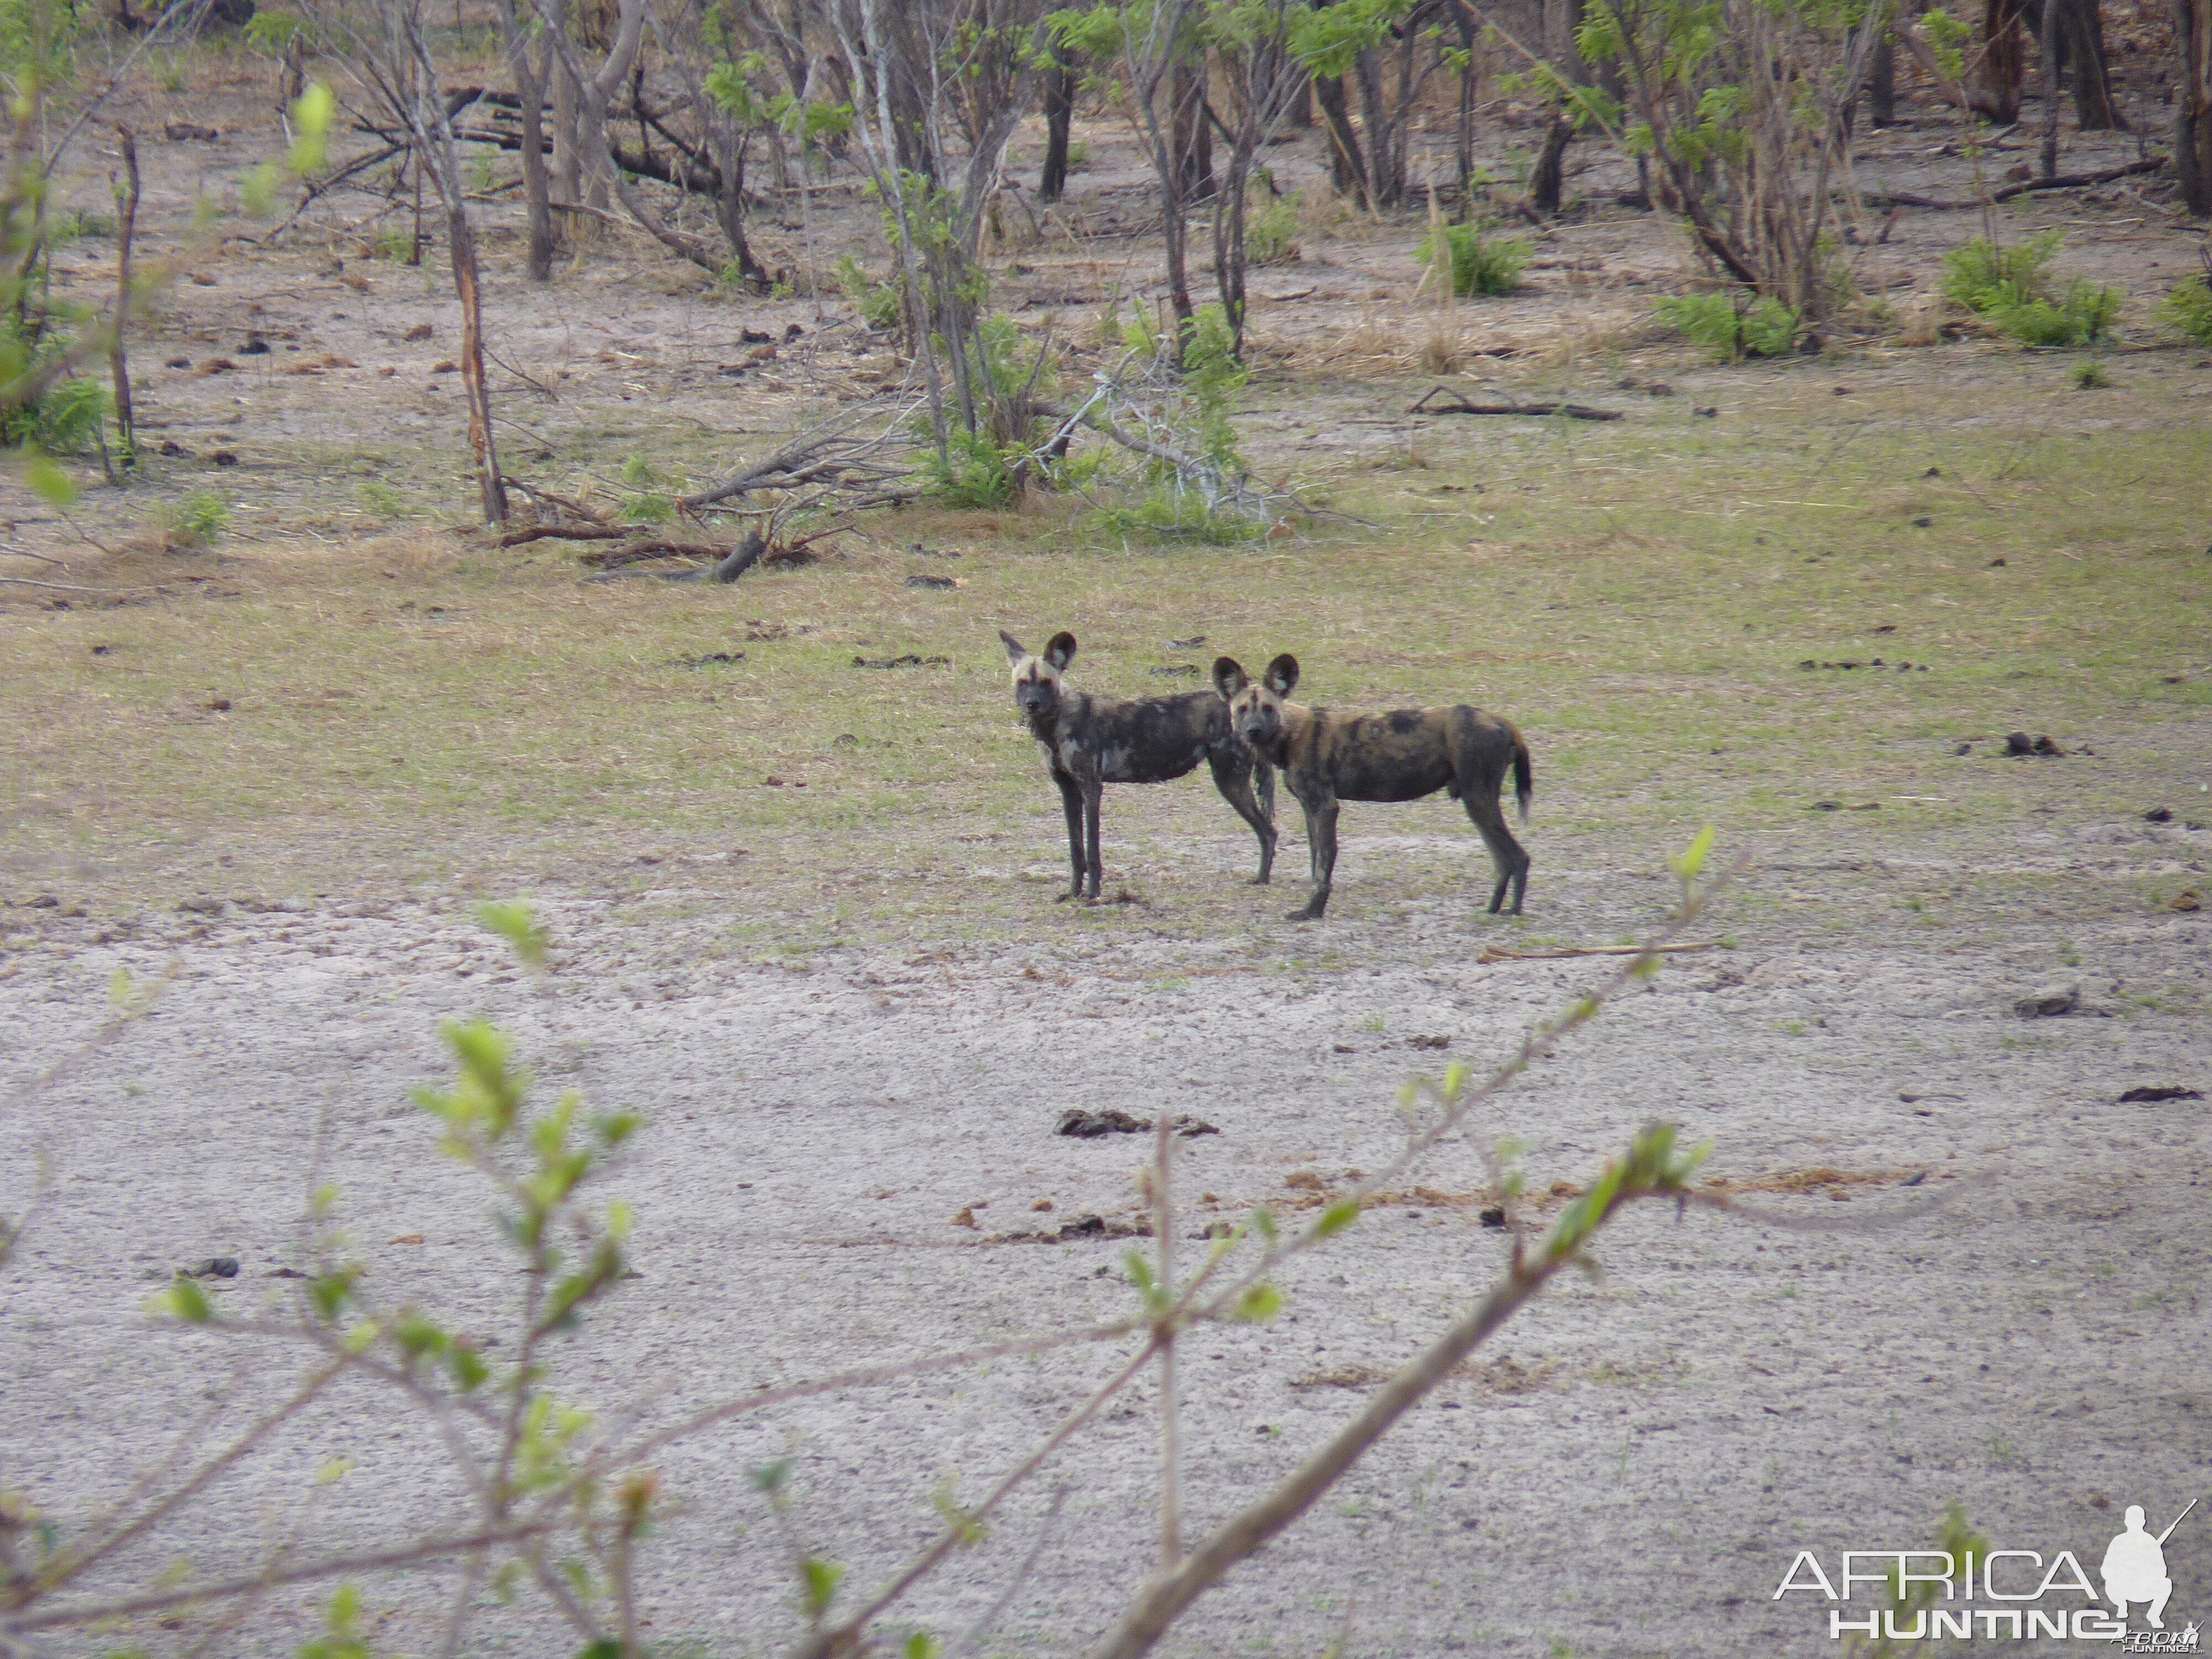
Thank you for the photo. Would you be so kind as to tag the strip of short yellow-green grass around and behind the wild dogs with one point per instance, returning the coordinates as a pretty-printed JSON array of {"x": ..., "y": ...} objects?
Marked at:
[{"x": 1642, "y": 596}]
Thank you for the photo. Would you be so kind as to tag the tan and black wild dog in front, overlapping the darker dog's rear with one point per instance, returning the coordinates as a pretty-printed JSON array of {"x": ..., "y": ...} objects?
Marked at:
[{"x": 1331, "y": 758}]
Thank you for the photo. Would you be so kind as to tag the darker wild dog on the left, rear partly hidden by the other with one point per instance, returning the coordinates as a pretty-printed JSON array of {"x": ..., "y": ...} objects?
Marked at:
[{"x": 1092, "y": 742}]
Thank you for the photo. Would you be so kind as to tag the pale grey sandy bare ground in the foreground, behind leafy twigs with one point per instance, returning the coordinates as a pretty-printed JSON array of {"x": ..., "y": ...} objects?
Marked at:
[{"x": 1629, "y": 1472}]
